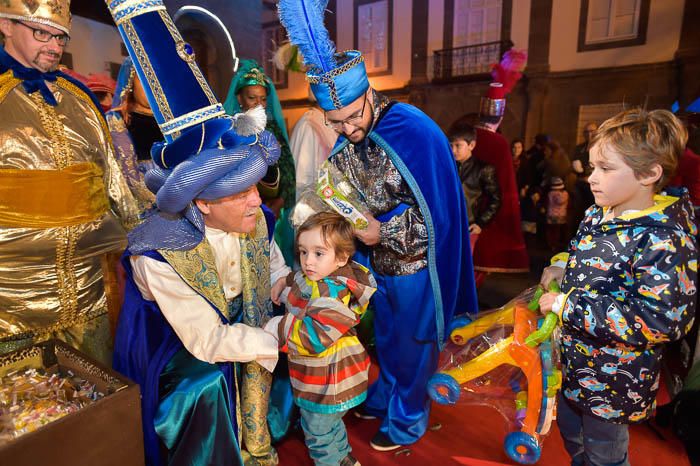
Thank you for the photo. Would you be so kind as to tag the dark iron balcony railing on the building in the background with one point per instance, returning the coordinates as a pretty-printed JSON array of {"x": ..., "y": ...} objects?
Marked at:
[{"x": 468, "y": 60}]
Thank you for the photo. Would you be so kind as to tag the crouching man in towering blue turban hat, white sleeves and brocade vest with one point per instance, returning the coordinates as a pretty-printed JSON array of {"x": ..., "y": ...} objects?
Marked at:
[{"x": 199, "y": 267}]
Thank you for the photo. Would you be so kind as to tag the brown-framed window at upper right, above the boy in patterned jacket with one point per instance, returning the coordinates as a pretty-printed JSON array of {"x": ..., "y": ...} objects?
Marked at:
[{"x": 612, "y": 23}]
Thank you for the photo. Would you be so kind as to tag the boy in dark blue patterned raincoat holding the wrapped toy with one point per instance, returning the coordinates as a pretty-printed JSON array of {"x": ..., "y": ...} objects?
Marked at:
[{"x": 628, "y": 285}]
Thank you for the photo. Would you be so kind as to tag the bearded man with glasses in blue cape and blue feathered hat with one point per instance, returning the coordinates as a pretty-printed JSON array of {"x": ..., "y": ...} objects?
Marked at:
[{"x": 417, "y": 241}]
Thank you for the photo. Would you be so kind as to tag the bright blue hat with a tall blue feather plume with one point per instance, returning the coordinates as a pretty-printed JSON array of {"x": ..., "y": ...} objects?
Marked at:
[{"x": 336, "y": 79}]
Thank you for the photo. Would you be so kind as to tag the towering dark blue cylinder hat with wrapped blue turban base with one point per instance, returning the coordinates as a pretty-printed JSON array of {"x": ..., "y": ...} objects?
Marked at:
[{"x": 206, "y": 154}]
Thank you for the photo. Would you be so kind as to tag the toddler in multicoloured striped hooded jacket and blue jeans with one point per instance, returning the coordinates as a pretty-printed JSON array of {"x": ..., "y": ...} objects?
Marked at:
[{"x": 328, "y": 365}]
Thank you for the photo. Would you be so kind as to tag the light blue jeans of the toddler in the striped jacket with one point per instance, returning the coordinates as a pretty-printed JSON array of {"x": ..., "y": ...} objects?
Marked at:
[{"x": 325, "y": 437}]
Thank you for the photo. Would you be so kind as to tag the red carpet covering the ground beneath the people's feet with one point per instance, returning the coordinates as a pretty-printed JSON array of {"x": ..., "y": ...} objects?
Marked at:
[{"x": 473, "y": 436}]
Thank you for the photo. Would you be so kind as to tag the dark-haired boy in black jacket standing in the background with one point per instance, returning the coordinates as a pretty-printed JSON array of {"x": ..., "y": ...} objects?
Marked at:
[{"x": 478, "y": 179}]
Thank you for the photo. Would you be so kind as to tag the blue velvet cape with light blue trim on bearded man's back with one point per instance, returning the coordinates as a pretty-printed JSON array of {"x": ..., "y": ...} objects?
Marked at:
[{"x": 422, "y": 154}]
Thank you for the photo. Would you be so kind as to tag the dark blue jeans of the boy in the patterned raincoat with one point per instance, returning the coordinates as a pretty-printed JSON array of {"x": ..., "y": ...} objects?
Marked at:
[{"x": 591, "y": 441}]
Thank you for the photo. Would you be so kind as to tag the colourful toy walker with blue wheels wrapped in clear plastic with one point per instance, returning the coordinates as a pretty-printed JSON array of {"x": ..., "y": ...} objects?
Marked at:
[{"x": 506, "y": 358}]
